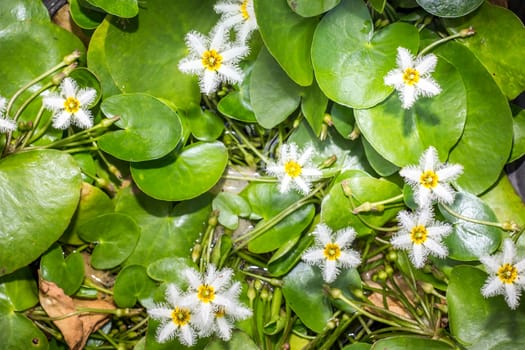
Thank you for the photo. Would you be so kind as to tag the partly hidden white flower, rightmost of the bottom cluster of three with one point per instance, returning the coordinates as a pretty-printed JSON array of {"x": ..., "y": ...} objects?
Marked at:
[{"x": 224, "y": 317}]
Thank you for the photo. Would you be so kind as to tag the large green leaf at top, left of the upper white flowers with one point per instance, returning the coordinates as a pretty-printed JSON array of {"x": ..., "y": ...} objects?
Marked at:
[{"x": 154, "y": 48}]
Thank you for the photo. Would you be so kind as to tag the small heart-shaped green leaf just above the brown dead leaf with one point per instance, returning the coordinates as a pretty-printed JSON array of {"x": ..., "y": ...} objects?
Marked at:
[{"x": 67, "y": 273}]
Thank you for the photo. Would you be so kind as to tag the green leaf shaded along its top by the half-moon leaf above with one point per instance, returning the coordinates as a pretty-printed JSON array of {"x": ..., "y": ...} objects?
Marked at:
[{"x": 166, "y": 230}]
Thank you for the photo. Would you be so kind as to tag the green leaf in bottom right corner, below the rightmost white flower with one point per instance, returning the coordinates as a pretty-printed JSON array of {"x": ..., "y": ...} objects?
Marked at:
[{"x": 482, "y": 323}]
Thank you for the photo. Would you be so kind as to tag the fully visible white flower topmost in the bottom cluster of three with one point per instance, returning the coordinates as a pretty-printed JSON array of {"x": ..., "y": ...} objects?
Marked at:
[{"x": 208, "y": 293}]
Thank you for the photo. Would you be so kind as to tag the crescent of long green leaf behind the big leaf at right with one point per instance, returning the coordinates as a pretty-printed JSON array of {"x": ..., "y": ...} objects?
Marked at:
[{"x": 482, "y": 152}]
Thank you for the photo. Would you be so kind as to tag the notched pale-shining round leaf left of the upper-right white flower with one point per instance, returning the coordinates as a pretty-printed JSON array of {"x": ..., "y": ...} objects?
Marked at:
[{"x": 351, "y": 61}]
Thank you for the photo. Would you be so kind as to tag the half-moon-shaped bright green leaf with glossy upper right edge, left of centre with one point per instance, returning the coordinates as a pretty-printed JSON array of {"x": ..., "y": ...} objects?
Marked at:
[{"x": 191, "y": 173}]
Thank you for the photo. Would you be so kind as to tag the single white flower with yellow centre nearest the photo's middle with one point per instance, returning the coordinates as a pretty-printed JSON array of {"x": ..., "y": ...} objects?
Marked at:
[{"x": 294, "y": 169}]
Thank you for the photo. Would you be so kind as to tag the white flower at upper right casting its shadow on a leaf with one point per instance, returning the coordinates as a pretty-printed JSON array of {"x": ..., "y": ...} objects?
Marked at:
[{"x": 412, "y": 77}]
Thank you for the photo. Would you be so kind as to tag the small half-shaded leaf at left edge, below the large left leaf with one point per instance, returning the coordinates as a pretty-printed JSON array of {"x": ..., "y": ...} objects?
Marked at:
[{"x": 19, "y": 288}]
